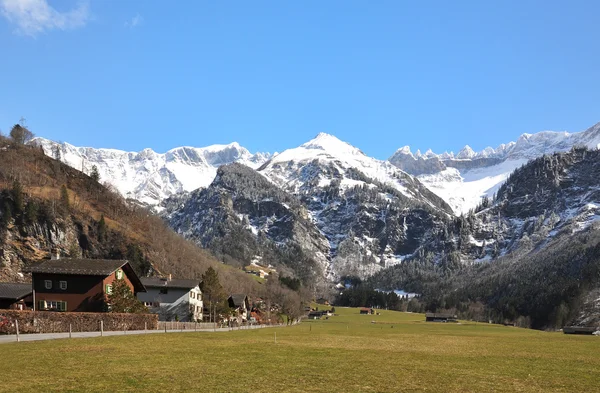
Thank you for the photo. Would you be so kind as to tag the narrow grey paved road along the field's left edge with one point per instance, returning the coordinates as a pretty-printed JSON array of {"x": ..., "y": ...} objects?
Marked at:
[{"x": 53, "y": 336}]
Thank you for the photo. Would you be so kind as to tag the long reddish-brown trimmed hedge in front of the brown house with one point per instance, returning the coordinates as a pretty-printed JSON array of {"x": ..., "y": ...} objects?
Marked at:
[{"x": 58, "y": 322}]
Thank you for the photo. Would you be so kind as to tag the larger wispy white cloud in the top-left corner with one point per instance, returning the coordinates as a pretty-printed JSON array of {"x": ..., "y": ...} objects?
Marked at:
[{"x": 33, "y": 17}]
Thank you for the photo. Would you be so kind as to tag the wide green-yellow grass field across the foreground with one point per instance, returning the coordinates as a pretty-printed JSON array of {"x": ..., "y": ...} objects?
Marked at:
[{"x": 346, "y": 353}]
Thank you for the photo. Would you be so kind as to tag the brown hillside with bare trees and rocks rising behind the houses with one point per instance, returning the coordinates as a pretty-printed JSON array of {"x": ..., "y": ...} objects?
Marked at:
[{"x": 45, "y": 204}]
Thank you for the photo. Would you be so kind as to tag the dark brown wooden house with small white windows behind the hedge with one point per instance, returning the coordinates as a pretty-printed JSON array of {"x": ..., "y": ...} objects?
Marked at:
[{"x": 79, "y": 285}]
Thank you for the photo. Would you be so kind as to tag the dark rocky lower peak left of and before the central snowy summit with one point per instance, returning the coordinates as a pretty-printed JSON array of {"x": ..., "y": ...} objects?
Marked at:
[{"x": 243, "y": 216}]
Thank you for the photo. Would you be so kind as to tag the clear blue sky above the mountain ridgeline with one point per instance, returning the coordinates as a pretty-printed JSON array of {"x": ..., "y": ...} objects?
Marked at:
[{"x": 271, "y": 75}]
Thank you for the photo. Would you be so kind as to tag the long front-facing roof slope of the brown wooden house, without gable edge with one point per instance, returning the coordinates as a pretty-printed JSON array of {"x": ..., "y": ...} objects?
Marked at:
[{"x": 77, "y": 266}]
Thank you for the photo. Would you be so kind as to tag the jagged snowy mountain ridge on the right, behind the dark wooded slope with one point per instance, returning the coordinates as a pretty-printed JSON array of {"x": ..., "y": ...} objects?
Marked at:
[{"x": 463, "y": 179}]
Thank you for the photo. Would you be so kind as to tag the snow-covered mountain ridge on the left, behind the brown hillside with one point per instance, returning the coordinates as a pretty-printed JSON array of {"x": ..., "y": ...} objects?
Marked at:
[{"x": 151, "y": 177}]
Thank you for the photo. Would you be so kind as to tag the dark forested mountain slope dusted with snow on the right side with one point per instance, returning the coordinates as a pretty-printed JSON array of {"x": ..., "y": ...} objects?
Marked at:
[{"x": 532, "y": 253}]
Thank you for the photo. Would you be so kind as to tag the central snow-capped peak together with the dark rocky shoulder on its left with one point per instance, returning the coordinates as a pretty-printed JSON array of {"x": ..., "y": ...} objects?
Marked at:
[{"x": 347, "y": 212}]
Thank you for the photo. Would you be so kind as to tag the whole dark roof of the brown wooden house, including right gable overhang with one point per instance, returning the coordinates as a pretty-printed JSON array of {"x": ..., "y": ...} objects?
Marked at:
[{"x": 88, "y": 267}]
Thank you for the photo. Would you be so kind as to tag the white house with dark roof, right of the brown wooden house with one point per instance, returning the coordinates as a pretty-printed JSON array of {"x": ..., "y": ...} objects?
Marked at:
[{"x": 173, "y": 299}]
